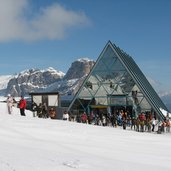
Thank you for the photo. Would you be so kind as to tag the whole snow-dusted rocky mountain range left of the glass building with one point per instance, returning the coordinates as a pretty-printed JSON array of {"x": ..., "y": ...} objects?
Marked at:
[{"x": 32, "y": 80}]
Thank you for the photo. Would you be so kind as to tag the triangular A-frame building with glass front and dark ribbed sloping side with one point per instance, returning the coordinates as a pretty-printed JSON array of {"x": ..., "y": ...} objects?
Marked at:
[{"x": 116, "y": 82}]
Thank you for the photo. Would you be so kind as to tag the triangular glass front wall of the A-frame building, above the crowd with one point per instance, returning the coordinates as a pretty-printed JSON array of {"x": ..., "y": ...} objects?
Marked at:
[{"x": 109, "y": 86}]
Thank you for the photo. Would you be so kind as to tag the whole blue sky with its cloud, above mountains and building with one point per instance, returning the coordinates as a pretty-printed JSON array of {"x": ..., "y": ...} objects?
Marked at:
[{"x": 54, "y": 33}]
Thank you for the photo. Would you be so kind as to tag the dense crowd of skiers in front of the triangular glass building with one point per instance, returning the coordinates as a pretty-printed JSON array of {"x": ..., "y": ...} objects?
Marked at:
[{"x": 144, "y": 122}]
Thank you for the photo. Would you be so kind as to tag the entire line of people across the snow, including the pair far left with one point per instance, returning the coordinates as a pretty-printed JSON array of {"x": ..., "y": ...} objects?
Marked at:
[{"x": 144, "y": 122}]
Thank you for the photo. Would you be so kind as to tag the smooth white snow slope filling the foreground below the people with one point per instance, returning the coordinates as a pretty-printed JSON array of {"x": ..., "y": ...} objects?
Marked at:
[{"x": 35, "y": 144}]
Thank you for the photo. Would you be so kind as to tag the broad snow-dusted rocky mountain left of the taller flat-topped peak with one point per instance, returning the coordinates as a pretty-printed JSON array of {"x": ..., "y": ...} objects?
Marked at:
[{"x": 32, "y": 80}]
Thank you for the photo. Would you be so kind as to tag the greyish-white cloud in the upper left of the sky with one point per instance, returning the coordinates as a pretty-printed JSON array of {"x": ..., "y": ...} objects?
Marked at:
[{"x": 51, "y": 22}]
